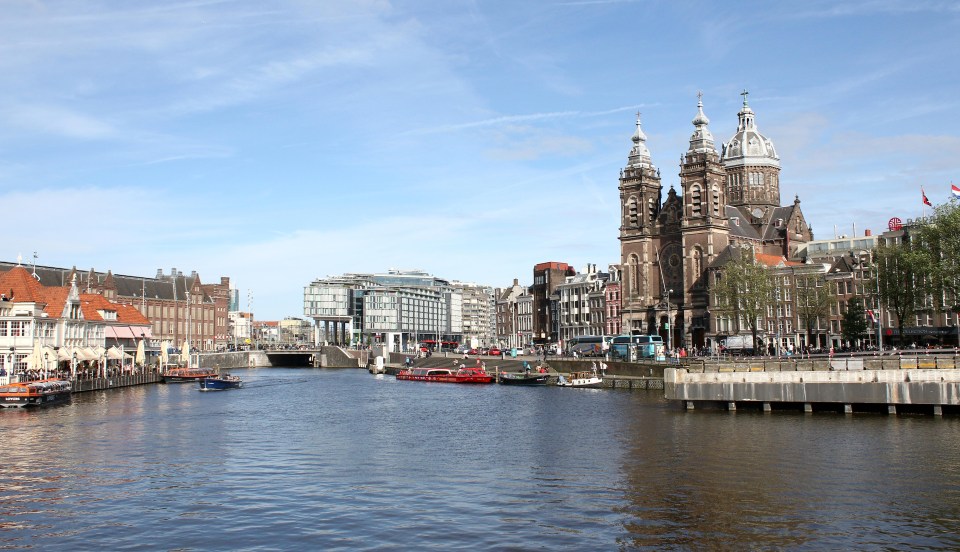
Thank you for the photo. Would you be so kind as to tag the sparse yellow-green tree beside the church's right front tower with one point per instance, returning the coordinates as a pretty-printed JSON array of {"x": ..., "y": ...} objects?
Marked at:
[{"x": 744, "y": 288}]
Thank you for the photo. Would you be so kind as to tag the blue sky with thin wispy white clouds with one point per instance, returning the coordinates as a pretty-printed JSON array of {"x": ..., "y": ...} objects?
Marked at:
[{"x": 281, "y": 141}]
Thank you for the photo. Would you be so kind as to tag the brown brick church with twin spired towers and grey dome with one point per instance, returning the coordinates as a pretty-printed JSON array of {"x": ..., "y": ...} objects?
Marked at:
[{"x": 667, "y": 246}]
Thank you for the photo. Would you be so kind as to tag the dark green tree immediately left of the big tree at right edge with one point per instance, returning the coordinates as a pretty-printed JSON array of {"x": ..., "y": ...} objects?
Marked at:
[{"x": 901, "y": 268}]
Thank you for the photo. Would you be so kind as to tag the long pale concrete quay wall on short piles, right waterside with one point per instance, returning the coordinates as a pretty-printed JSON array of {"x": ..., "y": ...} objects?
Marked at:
[{"x": 933, "y": 387}]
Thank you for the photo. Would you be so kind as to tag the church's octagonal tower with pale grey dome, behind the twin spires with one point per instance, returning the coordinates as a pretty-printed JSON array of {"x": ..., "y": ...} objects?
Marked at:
[{"x": 753, "y": 169}]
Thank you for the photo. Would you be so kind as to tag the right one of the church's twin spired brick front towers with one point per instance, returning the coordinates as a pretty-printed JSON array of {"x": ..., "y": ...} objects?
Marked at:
[{"x": 706, "y": 229}]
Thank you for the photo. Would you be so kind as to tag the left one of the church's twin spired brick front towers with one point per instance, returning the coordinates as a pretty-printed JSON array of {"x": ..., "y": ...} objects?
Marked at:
[{"x": 640, "y": 199}]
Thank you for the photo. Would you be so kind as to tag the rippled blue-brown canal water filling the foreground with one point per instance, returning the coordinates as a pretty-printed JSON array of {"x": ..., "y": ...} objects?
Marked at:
[{"x": 305, "y": 459}]
